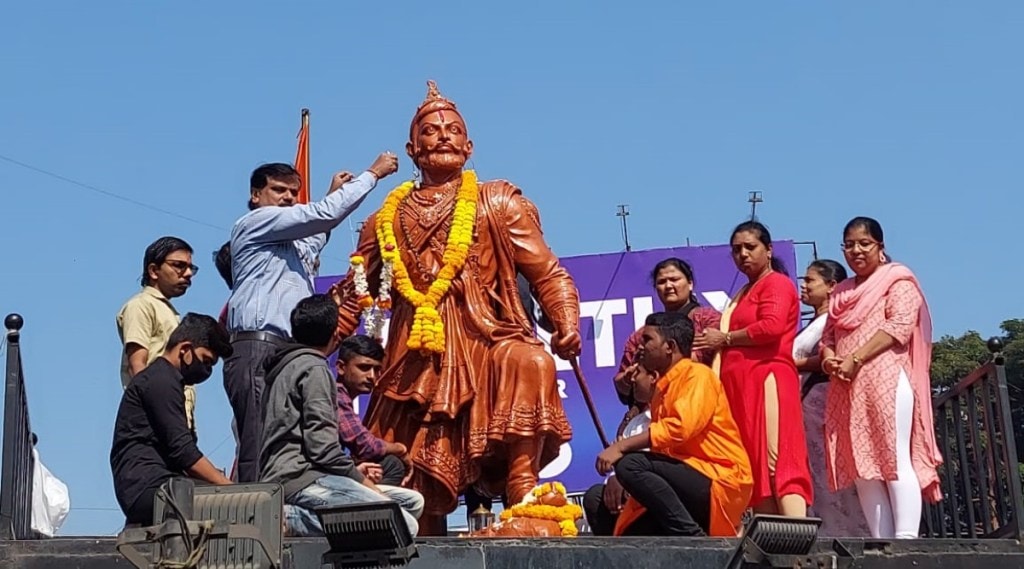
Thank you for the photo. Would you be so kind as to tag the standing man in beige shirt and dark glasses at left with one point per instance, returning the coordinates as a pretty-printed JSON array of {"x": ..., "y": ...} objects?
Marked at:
[{"x": 147, "y": 321}]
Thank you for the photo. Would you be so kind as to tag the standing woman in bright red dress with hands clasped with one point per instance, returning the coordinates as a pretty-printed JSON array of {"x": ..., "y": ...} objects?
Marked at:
[{"x": 756, "y": 366}]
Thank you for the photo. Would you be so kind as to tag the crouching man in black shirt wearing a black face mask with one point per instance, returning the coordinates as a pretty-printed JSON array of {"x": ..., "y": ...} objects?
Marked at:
[{"x": 152, "y": 439}]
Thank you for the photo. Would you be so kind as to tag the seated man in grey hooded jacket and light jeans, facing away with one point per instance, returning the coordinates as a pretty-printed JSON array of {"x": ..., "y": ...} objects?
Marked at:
[{"x": 302, "y": 450}]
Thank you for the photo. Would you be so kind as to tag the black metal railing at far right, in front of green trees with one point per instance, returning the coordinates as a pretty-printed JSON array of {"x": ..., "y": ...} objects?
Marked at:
[{"x": 982, "y": 480}]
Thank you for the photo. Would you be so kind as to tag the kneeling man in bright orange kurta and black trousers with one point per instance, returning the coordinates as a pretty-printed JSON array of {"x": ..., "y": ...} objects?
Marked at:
[{"x": 696, "y": 479}]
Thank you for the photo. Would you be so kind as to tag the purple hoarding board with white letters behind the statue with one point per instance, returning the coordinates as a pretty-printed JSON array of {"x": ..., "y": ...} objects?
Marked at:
[{"x": 616, "y": 296}]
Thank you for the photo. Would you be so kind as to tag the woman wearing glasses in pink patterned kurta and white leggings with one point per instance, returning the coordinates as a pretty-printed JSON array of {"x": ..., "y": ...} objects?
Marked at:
[{"x": 877, "y": 349}]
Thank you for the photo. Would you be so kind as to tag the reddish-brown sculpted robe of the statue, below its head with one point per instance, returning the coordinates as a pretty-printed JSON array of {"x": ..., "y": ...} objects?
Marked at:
[{"x": 470, "y": 415}]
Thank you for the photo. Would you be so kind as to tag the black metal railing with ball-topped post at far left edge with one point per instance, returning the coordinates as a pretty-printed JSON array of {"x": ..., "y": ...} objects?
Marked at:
[{"x": 16, "y": 472}]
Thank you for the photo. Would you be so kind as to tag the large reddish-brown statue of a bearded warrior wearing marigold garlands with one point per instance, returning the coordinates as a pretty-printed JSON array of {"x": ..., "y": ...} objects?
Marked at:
[{"x": 466, "y": 385}]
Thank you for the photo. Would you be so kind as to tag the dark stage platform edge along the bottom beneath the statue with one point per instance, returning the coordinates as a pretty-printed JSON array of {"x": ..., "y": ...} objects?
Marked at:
[{"x": 646, "y": 553}]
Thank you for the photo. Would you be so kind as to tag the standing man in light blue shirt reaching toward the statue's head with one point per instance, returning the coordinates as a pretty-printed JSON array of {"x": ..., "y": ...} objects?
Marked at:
[{"x": 275, "y": 248}]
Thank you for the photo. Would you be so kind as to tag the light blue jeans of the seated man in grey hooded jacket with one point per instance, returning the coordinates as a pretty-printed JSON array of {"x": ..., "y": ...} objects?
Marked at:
[{"x": 340, "y": 491}]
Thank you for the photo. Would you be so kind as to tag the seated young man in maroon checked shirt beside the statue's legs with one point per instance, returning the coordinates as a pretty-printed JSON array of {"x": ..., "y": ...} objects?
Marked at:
[{"x": 359, "y": 368}]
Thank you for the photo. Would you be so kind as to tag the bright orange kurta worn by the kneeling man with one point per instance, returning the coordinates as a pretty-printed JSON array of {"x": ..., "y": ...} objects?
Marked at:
[{"x": 692, "y": 422}]
